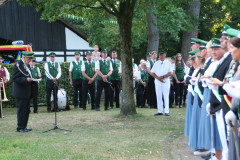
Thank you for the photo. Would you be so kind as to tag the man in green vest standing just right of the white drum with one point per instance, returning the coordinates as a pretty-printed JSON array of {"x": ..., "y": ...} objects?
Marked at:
[{"x": 75, "y": 76}]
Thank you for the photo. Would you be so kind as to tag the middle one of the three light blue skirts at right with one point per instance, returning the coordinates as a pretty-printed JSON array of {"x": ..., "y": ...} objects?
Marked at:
[{"x": 194, "y": 125}]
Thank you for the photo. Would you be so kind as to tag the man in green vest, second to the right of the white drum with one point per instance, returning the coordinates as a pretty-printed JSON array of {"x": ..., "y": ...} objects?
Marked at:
[{"x": 88, "y": 82}]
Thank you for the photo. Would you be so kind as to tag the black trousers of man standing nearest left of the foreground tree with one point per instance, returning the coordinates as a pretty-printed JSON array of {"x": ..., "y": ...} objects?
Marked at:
[{"x": 114, "y": 90}]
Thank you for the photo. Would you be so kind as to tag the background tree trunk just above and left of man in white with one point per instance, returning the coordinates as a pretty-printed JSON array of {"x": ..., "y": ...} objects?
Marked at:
[{"x": 153, "y": 35}]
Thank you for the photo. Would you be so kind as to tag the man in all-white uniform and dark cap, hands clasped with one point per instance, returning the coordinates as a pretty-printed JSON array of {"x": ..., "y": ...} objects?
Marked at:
[{"x": 162, "y": 70}]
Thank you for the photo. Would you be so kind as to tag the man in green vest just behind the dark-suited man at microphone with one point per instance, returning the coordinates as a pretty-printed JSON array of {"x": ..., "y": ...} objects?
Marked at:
[{"x": 36, "y": 74}]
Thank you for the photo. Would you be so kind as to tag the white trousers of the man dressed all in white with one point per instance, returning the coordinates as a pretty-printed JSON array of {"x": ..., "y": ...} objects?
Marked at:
[{"x": 162, "y": 89}]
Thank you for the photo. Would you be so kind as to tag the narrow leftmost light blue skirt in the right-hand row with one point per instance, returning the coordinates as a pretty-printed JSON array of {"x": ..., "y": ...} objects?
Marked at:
[{"x": 188, "y": 114}]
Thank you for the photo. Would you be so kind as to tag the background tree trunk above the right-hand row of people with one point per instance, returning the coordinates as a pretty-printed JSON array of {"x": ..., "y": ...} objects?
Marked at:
[{"x": 194, "y": 11}]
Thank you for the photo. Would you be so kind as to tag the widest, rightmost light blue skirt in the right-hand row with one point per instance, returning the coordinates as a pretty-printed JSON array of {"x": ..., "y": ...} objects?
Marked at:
[{"x": 204, "y": 132}]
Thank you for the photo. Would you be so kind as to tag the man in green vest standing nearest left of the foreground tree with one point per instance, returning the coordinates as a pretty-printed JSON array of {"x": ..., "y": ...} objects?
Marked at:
[{"x": 115, "y": 80}]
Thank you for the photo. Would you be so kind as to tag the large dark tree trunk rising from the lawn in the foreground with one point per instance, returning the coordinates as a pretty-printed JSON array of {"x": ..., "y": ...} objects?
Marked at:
[{"x": 125, "y": 26}]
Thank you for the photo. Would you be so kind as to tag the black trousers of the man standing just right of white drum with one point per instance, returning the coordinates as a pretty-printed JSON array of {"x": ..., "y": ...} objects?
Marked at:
[{"x": 77, "y": 87}]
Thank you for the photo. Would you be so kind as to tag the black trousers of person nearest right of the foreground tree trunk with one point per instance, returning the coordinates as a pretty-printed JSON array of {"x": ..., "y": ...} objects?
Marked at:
[{"x": 141, "y": 96}]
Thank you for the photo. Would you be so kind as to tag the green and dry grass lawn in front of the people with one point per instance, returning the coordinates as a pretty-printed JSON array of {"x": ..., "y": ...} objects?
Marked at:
[{"x": 95, "y": 135}]
